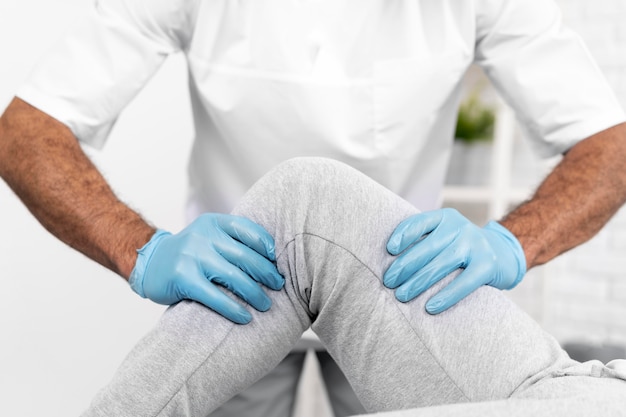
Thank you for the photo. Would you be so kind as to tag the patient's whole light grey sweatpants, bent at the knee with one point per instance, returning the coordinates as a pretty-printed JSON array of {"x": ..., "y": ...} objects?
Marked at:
[{"x": 330, "y": 223}]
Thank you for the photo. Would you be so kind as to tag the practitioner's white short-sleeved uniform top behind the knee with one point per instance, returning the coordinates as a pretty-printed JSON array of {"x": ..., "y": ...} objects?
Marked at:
[{"x": 373, "y": 83}]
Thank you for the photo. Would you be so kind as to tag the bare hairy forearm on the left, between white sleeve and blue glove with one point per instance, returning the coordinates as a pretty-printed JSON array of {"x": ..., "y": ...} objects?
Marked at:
[{"x": 43, "y": 163}]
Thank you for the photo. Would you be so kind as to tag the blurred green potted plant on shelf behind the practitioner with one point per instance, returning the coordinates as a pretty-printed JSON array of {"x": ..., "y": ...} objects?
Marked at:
[{"x": 475, "y": 122}]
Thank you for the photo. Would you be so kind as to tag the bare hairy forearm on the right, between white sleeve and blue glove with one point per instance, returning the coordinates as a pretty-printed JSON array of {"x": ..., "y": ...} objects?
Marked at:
[{"x": 576, "y": 200}]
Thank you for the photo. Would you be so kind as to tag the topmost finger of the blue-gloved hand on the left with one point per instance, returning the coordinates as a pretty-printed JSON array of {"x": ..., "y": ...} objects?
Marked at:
[{"x": 249, "y": 233}]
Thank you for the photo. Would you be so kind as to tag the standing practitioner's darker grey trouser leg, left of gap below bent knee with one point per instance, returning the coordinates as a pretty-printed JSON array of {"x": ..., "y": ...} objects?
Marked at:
[{"x": 271, "y": 396}]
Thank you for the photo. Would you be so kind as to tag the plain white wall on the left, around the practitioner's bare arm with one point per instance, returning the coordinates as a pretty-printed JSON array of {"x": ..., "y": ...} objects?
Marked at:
[{"x": 65, "y": 322}]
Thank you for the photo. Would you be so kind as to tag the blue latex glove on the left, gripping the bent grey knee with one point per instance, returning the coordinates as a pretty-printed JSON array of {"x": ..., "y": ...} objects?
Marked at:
[{"x": 215, "y": 250}]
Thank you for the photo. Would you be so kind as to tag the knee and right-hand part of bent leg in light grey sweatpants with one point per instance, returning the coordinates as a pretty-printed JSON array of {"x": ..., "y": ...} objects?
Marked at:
[{"x": 395, "y": 355}]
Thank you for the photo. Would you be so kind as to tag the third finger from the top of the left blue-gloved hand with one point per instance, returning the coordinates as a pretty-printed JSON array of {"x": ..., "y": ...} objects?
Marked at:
[{"x": 238, "y": 282}]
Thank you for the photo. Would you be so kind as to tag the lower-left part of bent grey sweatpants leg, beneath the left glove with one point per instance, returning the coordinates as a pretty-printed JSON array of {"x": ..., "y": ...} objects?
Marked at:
[{"x": 195, "y": 360}]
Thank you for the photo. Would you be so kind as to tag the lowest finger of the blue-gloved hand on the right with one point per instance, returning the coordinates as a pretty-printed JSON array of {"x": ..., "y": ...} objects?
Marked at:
[{"x": 463, "y": 285}]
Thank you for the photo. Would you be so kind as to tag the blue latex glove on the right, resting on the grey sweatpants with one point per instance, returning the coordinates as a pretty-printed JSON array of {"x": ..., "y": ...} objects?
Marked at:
[{"x": 431, "y": 245}]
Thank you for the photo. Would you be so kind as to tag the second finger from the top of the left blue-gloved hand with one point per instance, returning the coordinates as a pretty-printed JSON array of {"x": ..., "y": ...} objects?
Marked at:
[{"x": 251, "y": 262}]
